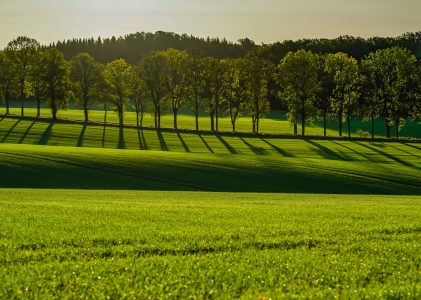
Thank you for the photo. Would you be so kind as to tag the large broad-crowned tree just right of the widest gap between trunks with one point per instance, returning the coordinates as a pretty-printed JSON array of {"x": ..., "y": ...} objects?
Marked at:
[{"x": 299, "y": 81}]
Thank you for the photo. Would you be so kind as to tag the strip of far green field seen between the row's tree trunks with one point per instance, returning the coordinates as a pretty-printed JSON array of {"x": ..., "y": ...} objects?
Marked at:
[{"x": 275, "y": 123}]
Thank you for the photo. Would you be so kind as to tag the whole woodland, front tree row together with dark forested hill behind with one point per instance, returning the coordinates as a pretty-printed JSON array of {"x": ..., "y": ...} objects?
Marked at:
[{"x": 161, "y": 73}]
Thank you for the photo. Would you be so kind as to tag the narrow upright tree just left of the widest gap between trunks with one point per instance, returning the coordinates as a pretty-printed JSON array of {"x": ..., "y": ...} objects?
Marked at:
[{"x": 258, "y": 73}]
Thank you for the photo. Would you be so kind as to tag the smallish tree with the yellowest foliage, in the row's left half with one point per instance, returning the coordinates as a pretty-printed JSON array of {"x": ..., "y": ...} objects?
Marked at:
[{"x": 118, "y": 76}]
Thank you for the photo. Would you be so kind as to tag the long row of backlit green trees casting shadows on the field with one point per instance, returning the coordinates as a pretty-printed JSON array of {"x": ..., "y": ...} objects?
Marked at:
[{"x": 385, "y": 83}]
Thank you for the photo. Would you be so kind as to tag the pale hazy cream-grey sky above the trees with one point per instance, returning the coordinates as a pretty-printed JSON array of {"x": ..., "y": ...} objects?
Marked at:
[{"x": 263, "y": 21}]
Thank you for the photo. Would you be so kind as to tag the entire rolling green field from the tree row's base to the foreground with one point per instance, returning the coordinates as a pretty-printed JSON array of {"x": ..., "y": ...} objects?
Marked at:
[{"x": 102, "y": 212}]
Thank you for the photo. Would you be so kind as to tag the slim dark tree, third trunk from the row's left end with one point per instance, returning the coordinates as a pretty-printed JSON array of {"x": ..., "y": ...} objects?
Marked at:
[{"x": 36, "y": 82}]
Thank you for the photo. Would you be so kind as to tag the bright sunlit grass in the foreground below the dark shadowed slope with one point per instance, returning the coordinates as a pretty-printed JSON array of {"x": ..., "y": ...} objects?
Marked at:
[{"x": 122, "y": 244}]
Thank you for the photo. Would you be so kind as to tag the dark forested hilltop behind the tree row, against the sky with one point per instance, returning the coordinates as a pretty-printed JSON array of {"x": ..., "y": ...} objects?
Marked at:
[{"x": 135, "y": 46}]
